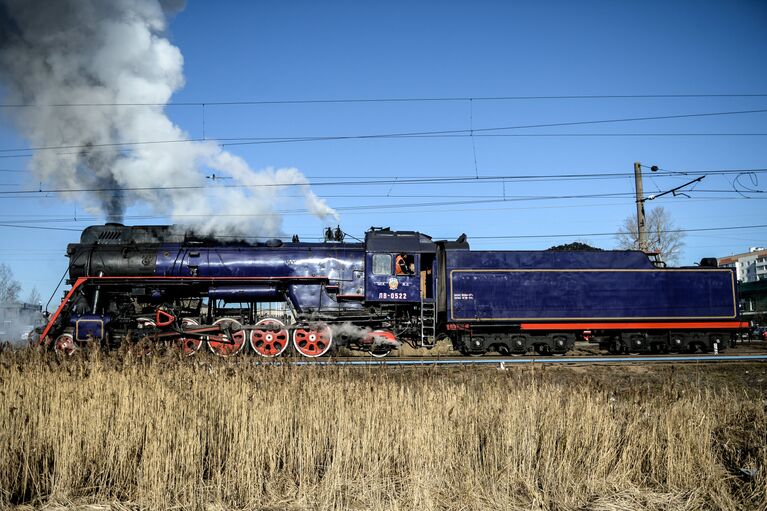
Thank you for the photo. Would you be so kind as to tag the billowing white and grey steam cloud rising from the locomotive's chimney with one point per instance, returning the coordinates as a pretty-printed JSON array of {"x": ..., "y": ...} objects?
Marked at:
[{"x": 114, "y": 52}]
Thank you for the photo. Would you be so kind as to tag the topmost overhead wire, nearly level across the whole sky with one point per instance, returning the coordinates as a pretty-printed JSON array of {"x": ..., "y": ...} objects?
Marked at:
[{"x": 390, "y": 100}]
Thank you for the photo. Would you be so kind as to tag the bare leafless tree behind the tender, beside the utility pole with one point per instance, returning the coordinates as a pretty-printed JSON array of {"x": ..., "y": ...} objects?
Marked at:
[{"x": 662, "y": 235}]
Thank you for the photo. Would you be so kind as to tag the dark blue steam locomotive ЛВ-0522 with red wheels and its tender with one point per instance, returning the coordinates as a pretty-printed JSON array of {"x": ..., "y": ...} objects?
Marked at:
[{"x": 229, "y": 296}]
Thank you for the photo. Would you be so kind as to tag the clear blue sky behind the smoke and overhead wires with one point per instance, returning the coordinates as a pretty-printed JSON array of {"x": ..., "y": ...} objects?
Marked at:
[{"x": 275, "y": 50}]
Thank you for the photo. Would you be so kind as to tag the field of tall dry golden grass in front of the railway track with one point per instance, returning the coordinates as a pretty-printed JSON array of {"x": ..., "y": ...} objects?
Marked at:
[{"x": 159, "y": 432}]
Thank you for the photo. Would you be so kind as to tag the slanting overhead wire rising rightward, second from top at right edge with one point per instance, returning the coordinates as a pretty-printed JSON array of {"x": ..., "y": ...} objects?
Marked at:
[{"x": 237, "y": 141}]
